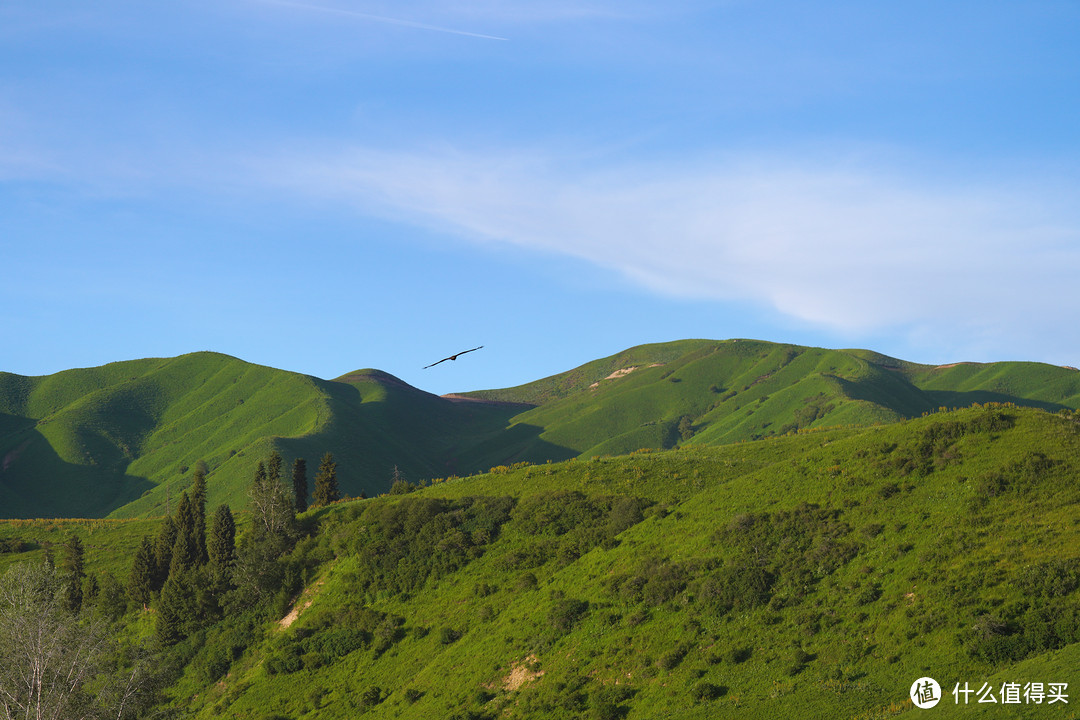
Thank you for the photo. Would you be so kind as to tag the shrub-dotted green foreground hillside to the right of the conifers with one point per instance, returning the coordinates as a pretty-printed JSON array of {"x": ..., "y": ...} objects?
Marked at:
[{"x": 816, "y": 575}]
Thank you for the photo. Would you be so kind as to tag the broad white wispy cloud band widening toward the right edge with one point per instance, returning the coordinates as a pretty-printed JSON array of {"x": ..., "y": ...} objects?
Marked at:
[{"x": 856, "y": 251}]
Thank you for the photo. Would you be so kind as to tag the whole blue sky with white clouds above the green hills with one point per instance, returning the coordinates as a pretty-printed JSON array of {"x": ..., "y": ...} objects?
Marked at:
[{"x": 328, "y": 186}]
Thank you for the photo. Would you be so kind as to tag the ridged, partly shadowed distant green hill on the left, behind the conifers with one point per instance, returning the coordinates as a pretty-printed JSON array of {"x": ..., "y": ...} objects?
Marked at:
[{"x": 123, "y": 439}]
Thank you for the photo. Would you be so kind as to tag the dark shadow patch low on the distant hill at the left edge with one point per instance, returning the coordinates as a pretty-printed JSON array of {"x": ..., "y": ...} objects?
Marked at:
[{"x": 37, "y": 482}]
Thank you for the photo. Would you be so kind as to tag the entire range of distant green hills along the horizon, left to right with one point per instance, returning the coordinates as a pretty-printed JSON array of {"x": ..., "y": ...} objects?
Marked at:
[{"x": 123, "y": 439}]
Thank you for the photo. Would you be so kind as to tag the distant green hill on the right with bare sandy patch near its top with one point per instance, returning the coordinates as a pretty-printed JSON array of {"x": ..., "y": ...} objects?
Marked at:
[{"x": 739, "y": 390}]
